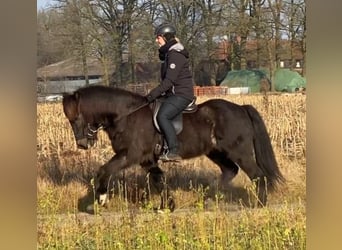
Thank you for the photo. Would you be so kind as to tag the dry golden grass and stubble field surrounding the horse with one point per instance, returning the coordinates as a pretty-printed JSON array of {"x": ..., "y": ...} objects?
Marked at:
[{"x": 206, "y": 217}]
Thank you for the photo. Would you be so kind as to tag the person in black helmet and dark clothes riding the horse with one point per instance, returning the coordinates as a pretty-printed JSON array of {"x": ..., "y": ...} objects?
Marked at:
[{"x": 176, "y": 86}]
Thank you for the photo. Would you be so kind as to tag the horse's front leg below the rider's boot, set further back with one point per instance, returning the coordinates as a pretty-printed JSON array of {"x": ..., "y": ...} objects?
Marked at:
[{"x": 156, "y": 179}]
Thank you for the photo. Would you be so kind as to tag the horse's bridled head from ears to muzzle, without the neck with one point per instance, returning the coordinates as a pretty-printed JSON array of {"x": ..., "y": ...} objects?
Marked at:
[{"x": 84, "y": 131}]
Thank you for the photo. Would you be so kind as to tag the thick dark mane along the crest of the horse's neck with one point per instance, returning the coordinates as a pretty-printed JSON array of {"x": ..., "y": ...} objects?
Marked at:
[{"x": 105, "y": 99}]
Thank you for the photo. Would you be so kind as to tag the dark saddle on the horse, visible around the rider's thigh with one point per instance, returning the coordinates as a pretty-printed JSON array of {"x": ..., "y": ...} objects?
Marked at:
[{"x": 178, "y": 120}]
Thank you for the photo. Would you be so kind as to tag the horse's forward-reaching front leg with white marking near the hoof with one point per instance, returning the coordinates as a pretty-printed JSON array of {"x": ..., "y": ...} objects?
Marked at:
[{"x": 104, "y": 176}]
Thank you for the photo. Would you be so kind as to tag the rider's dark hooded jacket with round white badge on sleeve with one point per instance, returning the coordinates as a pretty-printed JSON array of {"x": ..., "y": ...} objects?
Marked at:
[{"x": 176, "y": 78}]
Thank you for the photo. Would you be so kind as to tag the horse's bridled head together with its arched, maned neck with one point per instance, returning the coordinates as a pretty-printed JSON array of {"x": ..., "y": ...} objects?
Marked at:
[{"x": 90, "y": 108}]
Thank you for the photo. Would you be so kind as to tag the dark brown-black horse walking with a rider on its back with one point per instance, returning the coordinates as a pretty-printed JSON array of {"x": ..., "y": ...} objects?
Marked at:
[{"x": 232, "y": 136}]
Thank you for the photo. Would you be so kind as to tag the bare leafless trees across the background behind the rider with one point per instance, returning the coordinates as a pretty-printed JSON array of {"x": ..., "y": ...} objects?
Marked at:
[{"x": 118, "y": 32}]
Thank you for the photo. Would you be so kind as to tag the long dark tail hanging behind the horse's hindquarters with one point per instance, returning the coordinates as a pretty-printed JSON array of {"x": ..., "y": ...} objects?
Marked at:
[{"x": 264, "y": 153}]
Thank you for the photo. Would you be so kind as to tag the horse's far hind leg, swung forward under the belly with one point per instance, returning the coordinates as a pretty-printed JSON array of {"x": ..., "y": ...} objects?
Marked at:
[{"x": 228, "y": 168}]
